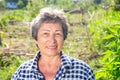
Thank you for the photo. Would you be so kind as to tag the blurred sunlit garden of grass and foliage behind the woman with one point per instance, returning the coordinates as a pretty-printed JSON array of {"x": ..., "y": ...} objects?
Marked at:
[{"x": 93, "y": 36}]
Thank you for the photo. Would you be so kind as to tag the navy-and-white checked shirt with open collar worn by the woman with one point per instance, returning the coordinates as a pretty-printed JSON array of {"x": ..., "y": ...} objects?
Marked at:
[{"x": 71, "y": 69}]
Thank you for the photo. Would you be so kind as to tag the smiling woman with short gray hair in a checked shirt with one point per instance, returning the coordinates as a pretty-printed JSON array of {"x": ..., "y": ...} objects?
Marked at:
[{"x": 49, "y": 30}]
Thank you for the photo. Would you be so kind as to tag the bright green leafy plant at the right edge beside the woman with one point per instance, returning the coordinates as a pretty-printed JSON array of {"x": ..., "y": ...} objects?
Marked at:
[{"x": 111, "y": 60}]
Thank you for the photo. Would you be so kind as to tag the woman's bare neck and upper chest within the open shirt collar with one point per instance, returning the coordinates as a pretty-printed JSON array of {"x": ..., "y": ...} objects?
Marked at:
[{"x": 49, "y": 66}]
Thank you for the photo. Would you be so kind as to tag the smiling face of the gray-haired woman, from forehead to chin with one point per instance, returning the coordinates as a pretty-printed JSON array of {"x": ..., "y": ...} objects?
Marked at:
[{"x": 50, "y": 39}]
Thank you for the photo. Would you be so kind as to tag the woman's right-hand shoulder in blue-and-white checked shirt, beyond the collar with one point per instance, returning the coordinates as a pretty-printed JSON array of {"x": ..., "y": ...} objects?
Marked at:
[{"x": 79, "y": 68}]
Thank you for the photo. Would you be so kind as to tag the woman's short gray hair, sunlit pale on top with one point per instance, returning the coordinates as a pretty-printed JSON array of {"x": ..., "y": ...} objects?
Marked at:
[{"x": 49, "y": 15}]
